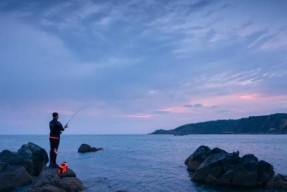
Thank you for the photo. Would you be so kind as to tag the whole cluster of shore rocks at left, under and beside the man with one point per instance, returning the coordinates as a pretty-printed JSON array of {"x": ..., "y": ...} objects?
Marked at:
[{"x": 27, "y": 167}]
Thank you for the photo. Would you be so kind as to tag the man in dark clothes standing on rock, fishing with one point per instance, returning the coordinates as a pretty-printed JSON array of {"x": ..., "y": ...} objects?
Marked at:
[{"x": 56, "y": 129}]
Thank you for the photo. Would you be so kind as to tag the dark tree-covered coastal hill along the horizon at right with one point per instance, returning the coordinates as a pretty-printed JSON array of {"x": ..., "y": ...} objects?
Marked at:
[{"x": 267, "y": 124}]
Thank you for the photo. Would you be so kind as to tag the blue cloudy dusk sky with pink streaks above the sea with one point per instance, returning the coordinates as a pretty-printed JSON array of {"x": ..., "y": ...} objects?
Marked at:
[{"x": 134, "y": 66}]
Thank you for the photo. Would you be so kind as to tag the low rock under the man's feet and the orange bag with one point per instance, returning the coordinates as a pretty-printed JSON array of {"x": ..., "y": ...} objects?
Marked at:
[{"x": 50, "y": 179}]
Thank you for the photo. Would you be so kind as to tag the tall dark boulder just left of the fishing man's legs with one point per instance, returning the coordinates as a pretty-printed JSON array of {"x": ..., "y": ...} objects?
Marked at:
[{"x": 36, "y": 154}]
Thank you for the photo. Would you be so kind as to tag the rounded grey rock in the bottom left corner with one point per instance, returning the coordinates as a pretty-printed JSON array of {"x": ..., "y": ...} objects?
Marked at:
[{"x": 12, "y": 176}]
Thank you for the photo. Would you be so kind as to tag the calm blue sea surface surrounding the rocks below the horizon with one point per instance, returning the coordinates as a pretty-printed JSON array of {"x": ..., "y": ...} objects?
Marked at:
[{"x": 149, "y": 162}]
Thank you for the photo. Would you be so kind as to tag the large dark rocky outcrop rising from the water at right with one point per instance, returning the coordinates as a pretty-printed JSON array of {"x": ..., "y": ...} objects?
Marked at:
[{"x": 217, "y": 166}]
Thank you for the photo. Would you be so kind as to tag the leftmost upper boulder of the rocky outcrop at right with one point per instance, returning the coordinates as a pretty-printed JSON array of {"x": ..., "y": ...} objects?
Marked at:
[{"x": 195, "y": 159}]
